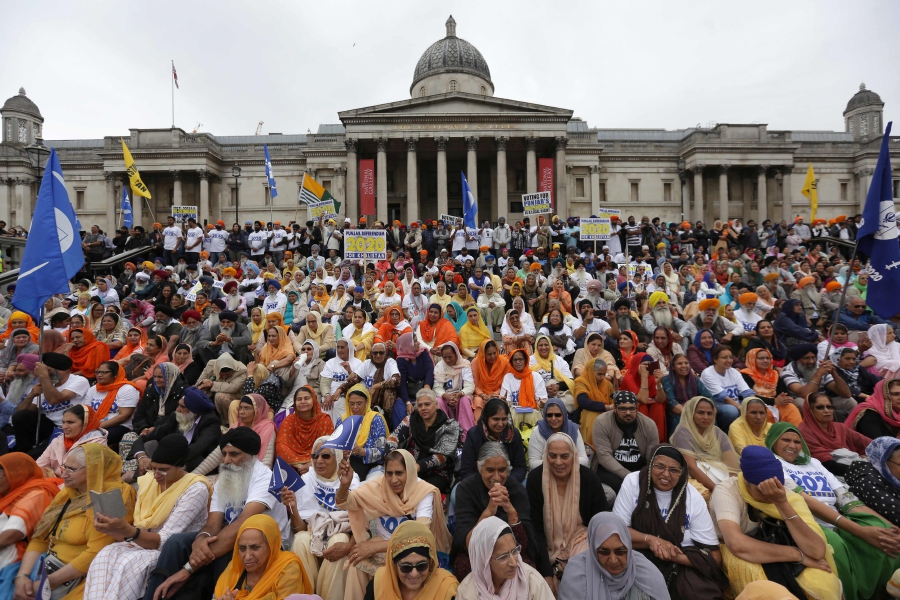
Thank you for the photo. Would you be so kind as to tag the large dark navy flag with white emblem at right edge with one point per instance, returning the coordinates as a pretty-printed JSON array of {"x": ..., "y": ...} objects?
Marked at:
[{"x": 877, "y": 237}]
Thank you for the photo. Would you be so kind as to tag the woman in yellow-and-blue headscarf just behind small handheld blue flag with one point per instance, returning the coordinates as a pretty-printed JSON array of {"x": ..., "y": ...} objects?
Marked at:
[{"x": 367, "y": 456}]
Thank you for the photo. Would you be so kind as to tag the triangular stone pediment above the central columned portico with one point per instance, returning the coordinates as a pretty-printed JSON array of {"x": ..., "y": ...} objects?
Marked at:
[{"x": 454, "y": 105}]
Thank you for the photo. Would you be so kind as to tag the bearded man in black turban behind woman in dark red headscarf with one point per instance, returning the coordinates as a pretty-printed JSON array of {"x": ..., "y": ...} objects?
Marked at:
[{"x": 805, "y": 375}]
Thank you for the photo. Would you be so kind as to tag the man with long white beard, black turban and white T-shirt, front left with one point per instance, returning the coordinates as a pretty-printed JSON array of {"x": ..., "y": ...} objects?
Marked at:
[{"x": 192, "y": 562}]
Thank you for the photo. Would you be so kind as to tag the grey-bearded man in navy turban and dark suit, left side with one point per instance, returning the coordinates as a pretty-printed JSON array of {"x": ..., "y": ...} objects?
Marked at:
[{"x": 196, "y": 419}]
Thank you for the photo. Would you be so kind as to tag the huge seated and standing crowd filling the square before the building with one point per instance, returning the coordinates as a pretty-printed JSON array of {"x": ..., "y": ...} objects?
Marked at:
[{"x": 674, "y": 412}]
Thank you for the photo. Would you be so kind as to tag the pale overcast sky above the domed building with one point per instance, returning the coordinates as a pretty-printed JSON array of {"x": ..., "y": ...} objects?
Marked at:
[{"x": 100, "y": 67}]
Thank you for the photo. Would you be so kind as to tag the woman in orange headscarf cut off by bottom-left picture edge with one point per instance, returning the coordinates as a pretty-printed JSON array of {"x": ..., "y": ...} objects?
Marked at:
[{"x": 25, "y": 494}]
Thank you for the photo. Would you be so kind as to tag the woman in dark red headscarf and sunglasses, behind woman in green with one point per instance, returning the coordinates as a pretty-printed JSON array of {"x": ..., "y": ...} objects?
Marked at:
[{"x": 824, "y": 435}]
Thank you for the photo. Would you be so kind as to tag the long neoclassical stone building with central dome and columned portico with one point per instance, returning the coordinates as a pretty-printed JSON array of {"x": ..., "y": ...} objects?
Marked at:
[{"x": 453, "y": 122}]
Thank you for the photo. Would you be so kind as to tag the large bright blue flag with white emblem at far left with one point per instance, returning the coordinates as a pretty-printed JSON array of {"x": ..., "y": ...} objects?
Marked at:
[{"x": 49, "y": 260}]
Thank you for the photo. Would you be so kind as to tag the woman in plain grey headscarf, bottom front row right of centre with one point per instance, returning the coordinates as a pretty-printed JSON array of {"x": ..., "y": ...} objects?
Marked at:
[{"x": 610, "y": 568}]
